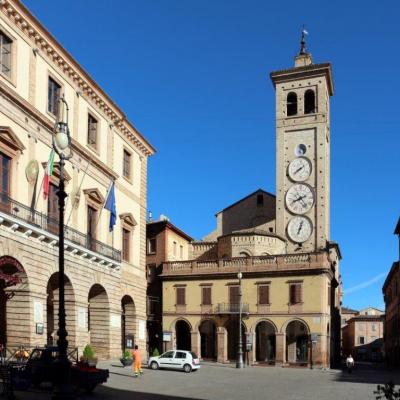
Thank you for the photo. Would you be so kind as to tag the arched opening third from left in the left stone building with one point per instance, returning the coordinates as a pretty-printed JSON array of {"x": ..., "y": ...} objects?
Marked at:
[{"x": 99, "y": 321}]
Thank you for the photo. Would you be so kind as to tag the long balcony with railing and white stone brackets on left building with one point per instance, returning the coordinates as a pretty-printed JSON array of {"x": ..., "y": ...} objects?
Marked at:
[{"x": 19, "y": 217}]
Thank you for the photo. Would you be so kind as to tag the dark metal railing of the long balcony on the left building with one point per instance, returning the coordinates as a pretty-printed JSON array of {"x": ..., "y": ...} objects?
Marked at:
[{"x": 42, "y": 221}]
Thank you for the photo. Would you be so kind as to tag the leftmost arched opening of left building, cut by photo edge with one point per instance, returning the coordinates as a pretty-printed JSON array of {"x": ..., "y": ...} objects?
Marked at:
[{"x": 15, "y": 315}]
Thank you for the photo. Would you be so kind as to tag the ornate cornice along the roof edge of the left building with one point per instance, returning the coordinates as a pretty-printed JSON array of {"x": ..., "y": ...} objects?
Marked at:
[{"x": 20, "y": 16}]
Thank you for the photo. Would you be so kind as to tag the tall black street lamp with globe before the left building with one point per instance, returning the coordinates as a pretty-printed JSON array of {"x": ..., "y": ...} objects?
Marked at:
[{"x": 61, "y": 142}]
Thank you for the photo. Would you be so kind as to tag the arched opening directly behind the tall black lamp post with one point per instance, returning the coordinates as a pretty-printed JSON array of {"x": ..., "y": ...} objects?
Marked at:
[{"x": 52, "y": 308}]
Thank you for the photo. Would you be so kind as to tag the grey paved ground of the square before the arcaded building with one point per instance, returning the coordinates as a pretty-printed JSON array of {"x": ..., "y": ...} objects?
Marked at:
[{"x": 214, "y": 381}]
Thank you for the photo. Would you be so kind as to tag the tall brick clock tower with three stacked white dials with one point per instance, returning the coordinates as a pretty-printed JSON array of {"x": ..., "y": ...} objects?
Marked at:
[{"x": 303, "y": 153}]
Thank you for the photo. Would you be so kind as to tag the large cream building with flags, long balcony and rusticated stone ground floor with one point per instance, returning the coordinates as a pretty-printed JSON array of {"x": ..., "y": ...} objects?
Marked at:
[{"x": 105, "y": 271}]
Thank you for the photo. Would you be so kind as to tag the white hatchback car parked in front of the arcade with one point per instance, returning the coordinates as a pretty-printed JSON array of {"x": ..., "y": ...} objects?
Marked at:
[{"x": 176, "y": 359}]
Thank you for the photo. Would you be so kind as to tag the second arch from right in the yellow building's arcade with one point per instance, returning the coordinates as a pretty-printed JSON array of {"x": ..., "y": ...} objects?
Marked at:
[{"x": 265, "y": 351}]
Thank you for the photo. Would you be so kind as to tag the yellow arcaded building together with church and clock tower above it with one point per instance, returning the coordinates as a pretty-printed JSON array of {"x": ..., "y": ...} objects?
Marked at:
[{"x": 289, "y": 287}]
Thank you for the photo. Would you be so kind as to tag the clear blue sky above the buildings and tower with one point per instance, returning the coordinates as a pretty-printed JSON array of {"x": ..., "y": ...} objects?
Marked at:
[{"x": 193, "y": 76}]
